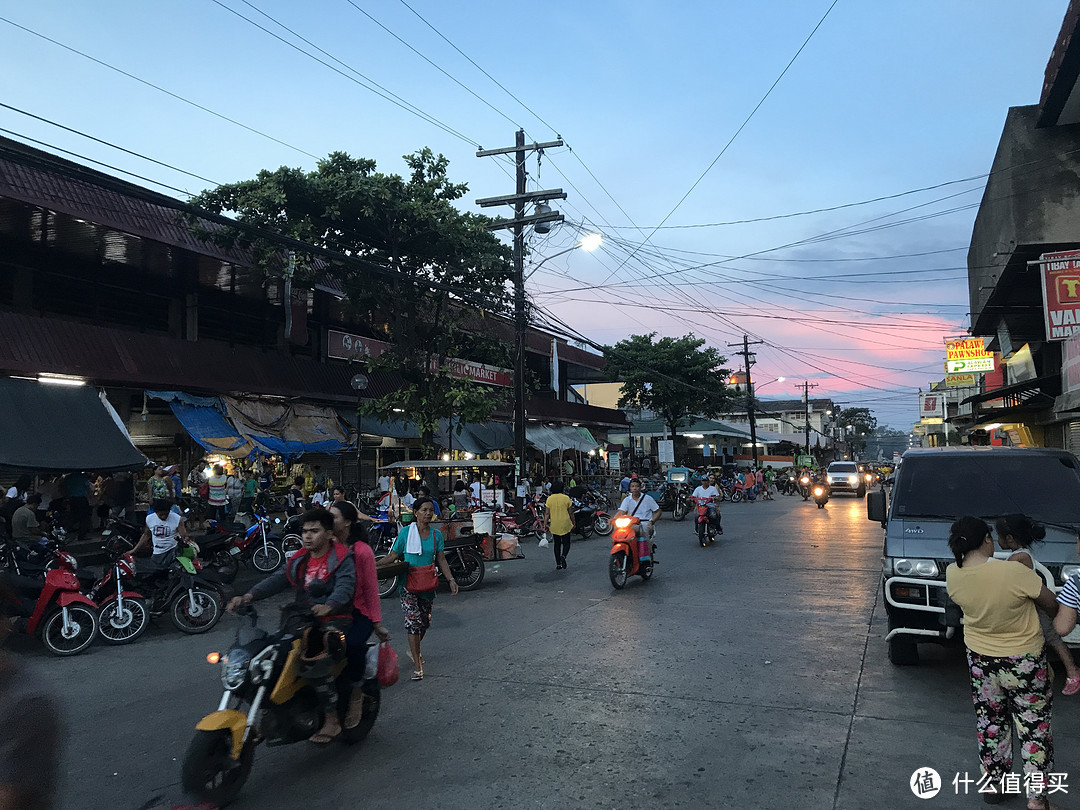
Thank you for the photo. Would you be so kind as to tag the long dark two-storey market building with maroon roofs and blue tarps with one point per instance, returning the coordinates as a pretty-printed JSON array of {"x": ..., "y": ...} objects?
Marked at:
[{"x": 204, "y": 356}]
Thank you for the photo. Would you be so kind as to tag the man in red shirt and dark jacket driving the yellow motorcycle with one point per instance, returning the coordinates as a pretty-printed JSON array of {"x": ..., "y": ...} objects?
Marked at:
[{"x": 323, "y": 576}]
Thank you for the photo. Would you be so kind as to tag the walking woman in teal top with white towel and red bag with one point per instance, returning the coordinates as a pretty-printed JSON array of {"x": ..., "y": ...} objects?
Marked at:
[{"x": 421, "y": 545}]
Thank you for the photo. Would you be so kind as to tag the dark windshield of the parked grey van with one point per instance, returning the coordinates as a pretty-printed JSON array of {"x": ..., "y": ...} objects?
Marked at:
[{"x": 1044, "y": 488}]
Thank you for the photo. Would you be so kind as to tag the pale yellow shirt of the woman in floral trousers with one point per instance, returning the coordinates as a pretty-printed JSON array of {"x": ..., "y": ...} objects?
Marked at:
[{"x": 1000, "y": 617}]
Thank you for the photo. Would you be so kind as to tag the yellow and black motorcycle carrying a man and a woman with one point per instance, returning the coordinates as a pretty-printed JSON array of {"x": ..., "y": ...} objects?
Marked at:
[{"x": 265, "y": 700}]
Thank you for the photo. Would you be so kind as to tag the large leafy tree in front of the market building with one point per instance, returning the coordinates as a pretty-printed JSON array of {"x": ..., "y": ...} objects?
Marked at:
[{"x": 441, "y": 263}]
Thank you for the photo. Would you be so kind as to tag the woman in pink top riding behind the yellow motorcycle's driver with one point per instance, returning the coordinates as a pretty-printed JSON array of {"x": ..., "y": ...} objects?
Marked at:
[{"x": 367, "y": 613}]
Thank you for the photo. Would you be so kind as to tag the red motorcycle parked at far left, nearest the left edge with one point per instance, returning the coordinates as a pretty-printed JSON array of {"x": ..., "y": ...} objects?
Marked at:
[{"x": 55, "y": 610}]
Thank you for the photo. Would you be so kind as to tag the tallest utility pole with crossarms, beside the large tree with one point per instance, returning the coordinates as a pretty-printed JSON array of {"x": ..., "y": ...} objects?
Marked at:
[{"x": 520, "y": 200}]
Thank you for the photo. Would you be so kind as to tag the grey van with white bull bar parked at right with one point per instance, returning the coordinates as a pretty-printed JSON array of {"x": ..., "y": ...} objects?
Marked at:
[{"x": 937, "y": 487}]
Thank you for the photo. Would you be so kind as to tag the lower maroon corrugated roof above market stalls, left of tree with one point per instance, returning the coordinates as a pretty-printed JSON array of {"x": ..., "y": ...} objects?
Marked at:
[{"x": 30, "y": 346}]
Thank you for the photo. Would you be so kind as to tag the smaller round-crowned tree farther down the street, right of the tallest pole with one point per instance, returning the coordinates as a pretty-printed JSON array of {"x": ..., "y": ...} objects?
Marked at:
[{"x": 674, "y": 377}]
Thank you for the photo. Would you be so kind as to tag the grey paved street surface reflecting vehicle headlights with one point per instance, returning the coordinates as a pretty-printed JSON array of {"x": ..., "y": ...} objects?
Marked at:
[{"x": 751, "y": 674}]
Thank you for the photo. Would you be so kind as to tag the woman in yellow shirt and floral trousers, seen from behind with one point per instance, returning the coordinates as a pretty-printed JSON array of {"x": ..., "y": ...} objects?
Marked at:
[{"x": 1010, "y": 677}]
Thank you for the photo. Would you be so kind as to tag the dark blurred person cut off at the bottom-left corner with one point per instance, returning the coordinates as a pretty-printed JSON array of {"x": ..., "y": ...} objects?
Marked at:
[{"x": 31, "y": 727}]
